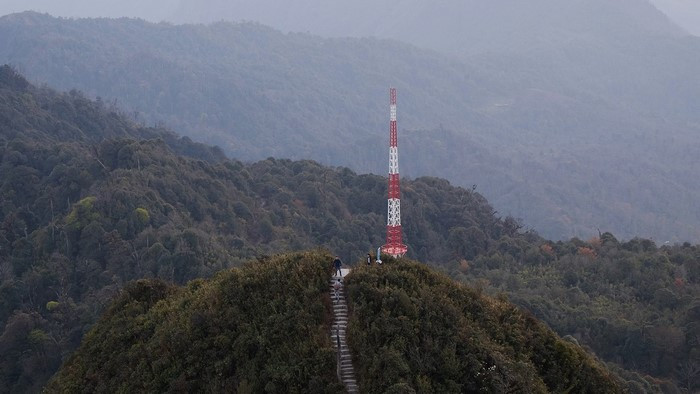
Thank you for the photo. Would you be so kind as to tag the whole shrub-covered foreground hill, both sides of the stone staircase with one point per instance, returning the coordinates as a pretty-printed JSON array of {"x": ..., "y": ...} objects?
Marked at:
[{"x": 266, "y": 328}]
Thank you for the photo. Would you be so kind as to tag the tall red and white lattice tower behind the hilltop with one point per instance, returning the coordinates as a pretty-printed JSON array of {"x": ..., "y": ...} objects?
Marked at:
[{"x": 394, "y": 242}]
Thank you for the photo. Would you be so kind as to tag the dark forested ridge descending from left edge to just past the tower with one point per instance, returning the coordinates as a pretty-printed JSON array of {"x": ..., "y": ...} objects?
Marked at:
[{"x": 90, "y": 201}]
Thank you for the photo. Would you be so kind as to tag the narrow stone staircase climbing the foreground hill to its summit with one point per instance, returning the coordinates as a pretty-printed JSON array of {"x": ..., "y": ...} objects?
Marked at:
[{"x": 346, "y": 373}]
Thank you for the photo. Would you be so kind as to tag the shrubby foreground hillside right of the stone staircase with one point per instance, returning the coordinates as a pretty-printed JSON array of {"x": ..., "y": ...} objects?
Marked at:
[{"x": 413, "y": 330}]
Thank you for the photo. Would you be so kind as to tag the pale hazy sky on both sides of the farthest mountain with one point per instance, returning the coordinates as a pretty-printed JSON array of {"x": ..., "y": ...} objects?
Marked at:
[{"x": 684, "y": 12}]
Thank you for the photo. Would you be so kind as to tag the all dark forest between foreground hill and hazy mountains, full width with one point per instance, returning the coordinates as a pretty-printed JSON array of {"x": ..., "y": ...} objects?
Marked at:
[{"x": 92, "y": 201}]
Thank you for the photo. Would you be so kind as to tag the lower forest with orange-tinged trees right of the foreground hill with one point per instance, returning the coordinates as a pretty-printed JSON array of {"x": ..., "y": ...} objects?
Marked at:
[{"x": 632, "y": 303}]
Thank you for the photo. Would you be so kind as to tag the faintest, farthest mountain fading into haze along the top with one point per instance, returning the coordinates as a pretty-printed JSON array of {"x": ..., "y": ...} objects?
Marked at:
[{"x": 454, "y": 26}]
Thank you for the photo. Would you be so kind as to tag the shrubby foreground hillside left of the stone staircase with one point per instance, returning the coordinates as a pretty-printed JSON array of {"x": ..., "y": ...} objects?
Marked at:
[{"x": 260, "y": 328}]
